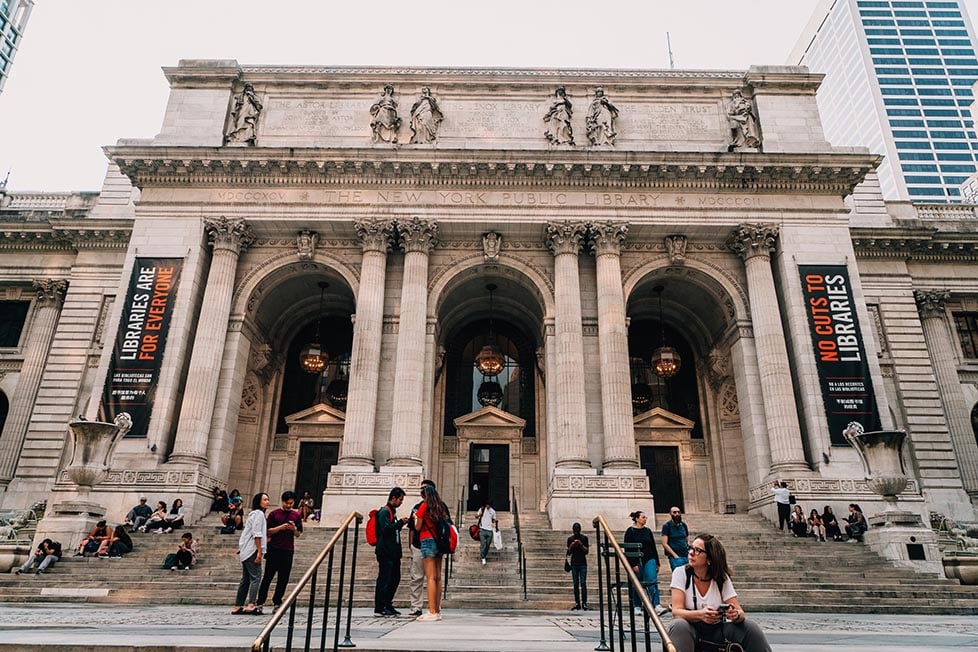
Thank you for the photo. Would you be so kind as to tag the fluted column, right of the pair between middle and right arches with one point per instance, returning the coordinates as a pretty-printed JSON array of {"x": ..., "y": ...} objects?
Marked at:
[{"x": 616, "y": 391}]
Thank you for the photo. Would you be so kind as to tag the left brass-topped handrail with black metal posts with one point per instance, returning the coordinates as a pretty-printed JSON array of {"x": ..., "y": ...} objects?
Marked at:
[{"x": 263, "y": 641}]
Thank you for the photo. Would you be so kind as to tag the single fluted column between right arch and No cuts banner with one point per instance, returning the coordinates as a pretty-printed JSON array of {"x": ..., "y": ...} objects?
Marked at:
[{"x": 754, "y": 243}]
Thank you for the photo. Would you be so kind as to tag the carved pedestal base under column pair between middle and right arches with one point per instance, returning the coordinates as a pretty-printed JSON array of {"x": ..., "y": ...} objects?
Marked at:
[{"x": 578, "y": 495}]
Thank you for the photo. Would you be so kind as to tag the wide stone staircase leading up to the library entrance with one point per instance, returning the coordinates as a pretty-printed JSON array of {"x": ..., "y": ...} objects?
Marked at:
[{"x": 773, "y": 572}]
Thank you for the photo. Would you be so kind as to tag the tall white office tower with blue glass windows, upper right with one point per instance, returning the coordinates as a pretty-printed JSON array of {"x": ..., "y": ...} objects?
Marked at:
[{"x": 898, "y": 78}]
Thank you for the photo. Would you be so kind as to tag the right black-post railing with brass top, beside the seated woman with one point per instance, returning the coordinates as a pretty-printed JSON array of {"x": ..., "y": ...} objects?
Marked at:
[{"x": 610, "y": 600}]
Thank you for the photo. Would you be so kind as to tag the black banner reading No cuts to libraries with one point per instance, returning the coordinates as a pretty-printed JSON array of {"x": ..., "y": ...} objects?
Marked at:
[{"x": 847, "y": 387}]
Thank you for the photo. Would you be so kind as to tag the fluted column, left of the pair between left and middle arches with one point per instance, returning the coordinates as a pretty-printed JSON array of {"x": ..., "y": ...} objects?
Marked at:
[{"x": 361, "y": 410}]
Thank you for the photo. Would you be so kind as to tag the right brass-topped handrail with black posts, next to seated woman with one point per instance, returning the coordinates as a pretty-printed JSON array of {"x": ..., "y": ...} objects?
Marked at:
[{"x": 638, "y": 589}]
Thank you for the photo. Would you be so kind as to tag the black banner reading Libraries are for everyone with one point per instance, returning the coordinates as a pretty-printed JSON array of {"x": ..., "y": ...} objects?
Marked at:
[{"x": 138, "y": 353}]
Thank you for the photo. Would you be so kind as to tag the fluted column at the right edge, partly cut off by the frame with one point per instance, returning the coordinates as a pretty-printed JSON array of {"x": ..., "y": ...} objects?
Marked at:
[{"x": 940, "y": 347}]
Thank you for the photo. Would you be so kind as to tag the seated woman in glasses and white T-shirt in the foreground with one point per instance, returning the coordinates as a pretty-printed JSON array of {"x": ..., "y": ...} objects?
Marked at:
[{"x": 701, "y": 593}]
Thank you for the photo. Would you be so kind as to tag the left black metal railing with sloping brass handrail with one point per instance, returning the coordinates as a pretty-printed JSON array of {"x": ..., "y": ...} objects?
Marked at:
[{"x": 319, "y": 607}]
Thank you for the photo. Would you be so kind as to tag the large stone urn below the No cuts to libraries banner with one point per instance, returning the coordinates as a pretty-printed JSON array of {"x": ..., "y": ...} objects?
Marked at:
[{"x": 882, "y": 455}]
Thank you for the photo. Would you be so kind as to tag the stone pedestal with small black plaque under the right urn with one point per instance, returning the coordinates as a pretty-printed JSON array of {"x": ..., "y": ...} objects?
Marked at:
[{"x": 896, "y": 534}]
